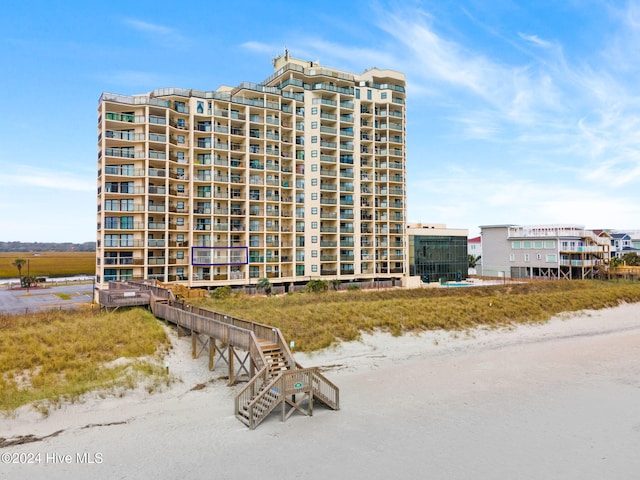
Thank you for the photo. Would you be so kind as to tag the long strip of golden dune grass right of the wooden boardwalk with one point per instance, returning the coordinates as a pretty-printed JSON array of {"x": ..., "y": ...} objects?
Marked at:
[{"x": 318, "y": 320}]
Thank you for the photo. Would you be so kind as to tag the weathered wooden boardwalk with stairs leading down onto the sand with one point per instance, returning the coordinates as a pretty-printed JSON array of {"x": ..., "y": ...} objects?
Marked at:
[{"x": 252, "y": 351}]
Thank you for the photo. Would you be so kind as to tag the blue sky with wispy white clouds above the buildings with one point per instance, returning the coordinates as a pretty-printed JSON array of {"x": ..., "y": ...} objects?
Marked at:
[{"x": 517, "y": 112}]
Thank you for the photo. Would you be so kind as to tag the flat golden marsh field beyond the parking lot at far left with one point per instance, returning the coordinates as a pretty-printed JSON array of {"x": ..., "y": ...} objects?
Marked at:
[{"x": 49, "y": 264}]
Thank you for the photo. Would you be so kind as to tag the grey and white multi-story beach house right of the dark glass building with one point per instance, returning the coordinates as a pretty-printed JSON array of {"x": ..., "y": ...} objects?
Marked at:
[{"x": 542, "y": 251}]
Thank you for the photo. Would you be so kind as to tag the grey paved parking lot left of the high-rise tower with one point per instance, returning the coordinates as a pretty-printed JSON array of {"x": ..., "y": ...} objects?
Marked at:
[{"x": 17, "y": 301}]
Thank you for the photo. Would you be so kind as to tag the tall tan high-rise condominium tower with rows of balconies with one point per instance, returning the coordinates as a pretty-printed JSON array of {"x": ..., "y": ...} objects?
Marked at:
[{"x": 296, "y": 178}]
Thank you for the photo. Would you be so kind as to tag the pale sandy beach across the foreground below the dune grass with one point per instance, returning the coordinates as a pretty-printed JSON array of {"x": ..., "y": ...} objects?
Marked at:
[{"x": 559, "y": 400}]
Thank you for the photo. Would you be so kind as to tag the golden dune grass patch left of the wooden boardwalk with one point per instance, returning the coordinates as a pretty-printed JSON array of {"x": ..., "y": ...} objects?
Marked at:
[{"x": 54, "y": 356}]
